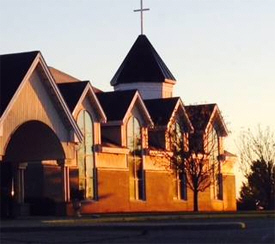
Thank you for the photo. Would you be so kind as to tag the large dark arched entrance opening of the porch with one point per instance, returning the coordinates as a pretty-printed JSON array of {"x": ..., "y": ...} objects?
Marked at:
[{"x": 32, "y": 171}]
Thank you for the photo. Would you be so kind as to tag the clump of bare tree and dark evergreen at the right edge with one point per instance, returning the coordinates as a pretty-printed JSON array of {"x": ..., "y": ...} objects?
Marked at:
[{"x": 257, "y": 162}]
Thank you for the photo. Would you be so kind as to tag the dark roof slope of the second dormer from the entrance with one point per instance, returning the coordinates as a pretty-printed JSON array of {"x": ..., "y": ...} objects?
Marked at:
[{"x": 115, "y": 104}]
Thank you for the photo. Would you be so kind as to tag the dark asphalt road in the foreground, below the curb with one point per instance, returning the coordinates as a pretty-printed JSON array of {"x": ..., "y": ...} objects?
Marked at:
[{"x": 256, "y": 231}]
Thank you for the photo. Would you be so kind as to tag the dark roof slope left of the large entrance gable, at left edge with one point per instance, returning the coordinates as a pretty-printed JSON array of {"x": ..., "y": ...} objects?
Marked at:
[{"x": 13, "y": 68}]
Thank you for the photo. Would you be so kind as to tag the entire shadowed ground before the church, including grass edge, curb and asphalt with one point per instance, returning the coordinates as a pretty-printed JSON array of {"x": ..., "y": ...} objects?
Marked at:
[{"x": 142, "y": 228}]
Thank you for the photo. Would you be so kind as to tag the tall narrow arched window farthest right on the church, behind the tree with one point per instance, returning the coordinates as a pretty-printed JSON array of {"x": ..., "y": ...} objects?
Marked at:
[{"x": 216, "y": 167}]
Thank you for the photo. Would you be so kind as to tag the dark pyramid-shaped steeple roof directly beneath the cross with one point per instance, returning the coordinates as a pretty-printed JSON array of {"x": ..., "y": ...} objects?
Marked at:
[{"x": 142, "y": 64}]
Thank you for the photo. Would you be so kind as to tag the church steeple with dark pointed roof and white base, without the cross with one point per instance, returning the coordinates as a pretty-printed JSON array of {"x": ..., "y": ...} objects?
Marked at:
[{"x": 143, "y": 69}]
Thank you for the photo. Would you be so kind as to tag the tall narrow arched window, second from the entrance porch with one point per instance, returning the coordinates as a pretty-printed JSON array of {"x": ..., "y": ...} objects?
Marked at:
[{"x": 137, "y": 177}]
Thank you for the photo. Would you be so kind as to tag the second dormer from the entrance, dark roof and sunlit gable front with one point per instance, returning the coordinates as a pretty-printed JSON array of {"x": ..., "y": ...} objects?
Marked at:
[{"x": 121, "y": 107}]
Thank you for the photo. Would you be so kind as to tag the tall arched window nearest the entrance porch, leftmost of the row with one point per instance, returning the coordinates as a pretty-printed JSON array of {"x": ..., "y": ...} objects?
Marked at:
[{"x": 85, "y": 156}]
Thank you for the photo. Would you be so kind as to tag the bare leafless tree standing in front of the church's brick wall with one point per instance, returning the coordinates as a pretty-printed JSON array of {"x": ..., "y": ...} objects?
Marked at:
[{"x": 199, "y": 163}]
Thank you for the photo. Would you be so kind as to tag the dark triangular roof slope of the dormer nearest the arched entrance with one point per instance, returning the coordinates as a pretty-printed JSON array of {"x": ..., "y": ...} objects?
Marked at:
[{"x": 72, "y": 92}]
